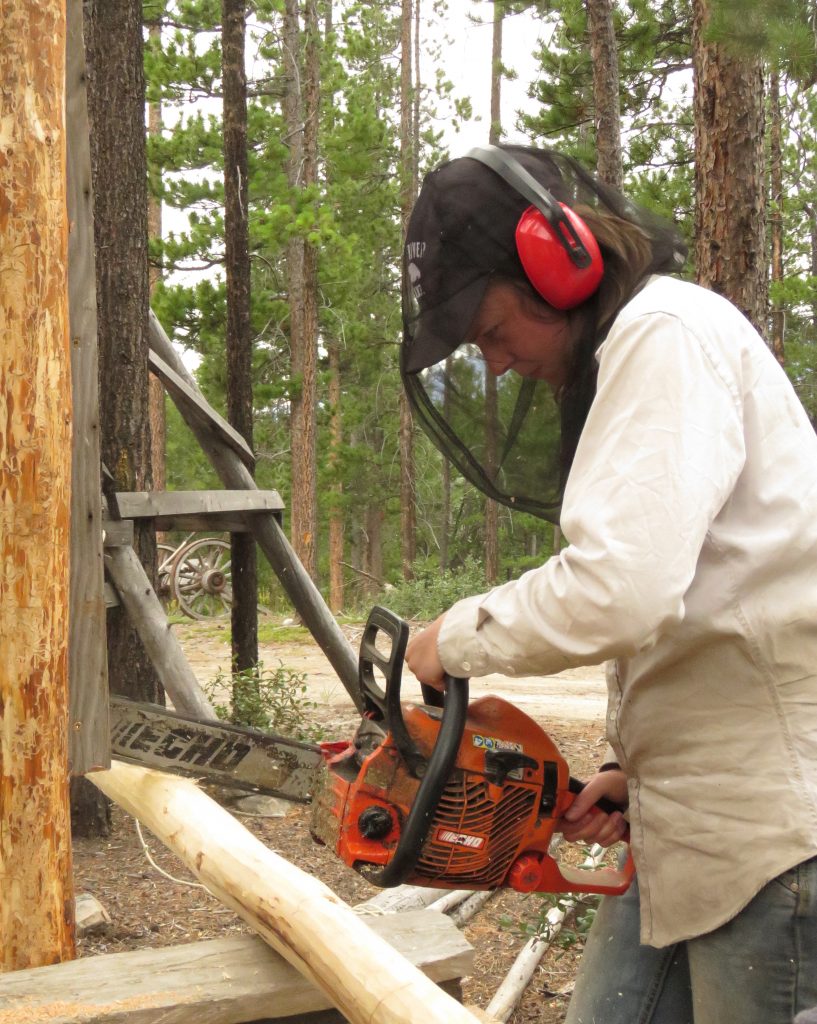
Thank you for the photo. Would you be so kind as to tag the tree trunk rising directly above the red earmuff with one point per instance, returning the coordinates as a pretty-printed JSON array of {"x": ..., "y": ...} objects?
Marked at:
[{"x": 605, "y": 54}]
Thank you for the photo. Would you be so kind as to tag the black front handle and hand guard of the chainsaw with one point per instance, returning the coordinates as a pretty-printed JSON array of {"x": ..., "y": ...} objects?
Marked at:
[{"x": 437, "y": 772}]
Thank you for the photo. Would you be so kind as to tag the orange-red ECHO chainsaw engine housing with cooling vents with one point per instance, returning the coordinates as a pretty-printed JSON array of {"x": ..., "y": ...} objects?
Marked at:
[{"x": 495, "y": 821}]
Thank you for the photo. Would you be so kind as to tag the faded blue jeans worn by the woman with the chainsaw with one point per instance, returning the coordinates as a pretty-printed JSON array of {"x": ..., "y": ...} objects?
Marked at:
[{"x": 760, "y": 968}]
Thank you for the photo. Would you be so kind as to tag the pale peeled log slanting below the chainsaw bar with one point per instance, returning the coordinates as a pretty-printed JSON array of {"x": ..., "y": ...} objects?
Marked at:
[{"x": 297, "y": 915}]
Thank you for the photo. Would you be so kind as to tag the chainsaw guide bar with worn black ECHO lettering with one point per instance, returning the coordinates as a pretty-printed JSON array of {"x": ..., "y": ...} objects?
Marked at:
[{"x": 231, "y": 755}]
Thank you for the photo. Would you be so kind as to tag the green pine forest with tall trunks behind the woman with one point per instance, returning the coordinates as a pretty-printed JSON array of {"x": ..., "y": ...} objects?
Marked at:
[{"x": 348, "y": 105}]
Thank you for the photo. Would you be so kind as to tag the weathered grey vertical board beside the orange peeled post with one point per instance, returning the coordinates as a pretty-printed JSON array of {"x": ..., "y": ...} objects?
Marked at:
[{"x": 89, "y": 743}]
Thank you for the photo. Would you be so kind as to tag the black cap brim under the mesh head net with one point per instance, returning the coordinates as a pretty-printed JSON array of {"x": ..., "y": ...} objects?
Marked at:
[{"x": 440, "y": 331}]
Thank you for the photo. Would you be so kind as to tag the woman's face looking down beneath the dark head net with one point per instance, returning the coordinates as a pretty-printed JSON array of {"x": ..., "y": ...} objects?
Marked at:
[{"x": 512, "y": 335}]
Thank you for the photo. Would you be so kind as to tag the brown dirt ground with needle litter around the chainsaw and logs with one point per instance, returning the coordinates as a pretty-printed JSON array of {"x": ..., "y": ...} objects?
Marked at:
[{"x": 150, "y": 910}]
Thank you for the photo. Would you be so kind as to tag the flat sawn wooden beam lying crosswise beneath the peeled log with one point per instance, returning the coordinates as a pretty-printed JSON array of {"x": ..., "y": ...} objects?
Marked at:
[{"x": 221, "y": 982}]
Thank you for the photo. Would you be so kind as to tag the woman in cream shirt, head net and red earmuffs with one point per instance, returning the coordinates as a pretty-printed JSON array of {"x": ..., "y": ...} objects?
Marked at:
[{"x": 650, "y": 416}]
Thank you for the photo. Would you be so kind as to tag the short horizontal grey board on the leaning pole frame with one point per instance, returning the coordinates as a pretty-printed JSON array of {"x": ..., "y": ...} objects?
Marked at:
[{"x": 199, "y": 510}]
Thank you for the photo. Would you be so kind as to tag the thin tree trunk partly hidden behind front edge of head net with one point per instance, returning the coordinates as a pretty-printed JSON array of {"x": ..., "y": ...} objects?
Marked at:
[{"x": 408, "y": 180}]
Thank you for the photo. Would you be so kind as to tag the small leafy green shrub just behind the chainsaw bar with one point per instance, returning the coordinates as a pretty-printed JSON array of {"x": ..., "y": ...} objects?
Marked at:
[{"x": 274, "y": 701}]
